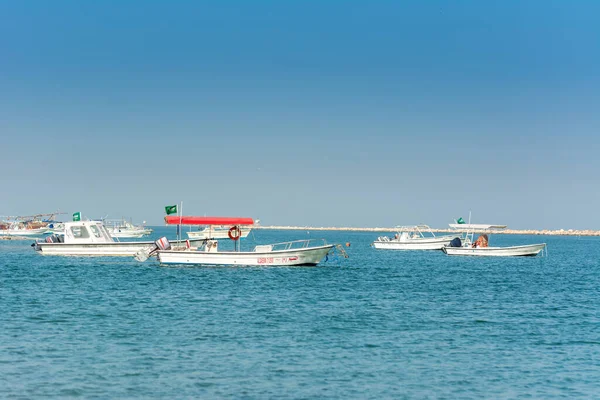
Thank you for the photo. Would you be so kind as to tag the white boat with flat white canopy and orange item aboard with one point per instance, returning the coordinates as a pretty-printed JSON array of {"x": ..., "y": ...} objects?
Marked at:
[{"x": 481, "y": 248}]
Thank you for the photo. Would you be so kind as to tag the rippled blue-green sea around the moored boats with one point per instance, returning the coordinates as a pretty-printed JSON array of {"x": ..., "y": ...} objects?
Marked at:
[{"x": 381, "y": 324}]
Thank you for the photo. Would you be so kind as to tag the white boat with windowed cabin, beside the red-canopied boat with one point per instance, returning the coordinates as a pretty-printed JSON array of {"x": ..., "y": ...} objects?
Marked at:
[{"x": 90, "y": 238}]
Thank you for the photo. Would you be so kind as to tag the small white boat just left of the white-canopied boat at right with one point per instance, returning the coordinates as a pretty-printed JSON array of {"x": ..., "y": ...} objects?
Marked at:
[{"x": 413, "y": 238}]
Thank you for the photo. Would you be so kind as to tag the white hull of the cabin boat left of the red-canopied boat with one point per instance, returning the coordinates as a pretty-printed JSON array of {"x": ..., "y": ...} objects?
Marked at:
[{"x": 116, "y": 249}]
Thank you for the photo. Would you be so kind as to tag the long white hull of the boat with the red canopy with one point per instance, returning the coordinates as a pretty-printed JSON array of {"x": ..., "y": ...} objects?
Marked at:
[{"x": 304, "y": 256}]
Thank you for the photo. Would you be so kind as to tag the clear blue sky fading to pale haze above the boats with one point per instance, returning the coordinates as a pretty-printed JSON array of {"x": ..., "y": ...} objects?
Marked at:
[{"x": 323, "y": 113}]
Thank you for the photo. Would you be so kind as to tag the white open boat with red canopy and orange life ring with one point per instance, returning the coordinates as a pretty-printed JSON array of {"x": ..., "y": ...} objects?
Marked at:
[{"x": 295, "y": 253}]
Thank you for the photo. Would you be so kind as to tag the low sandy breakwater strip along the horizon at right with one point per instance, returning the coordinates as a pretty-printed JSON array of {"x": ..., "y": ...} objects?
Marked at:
[{"x": 549, "y": 232}]
